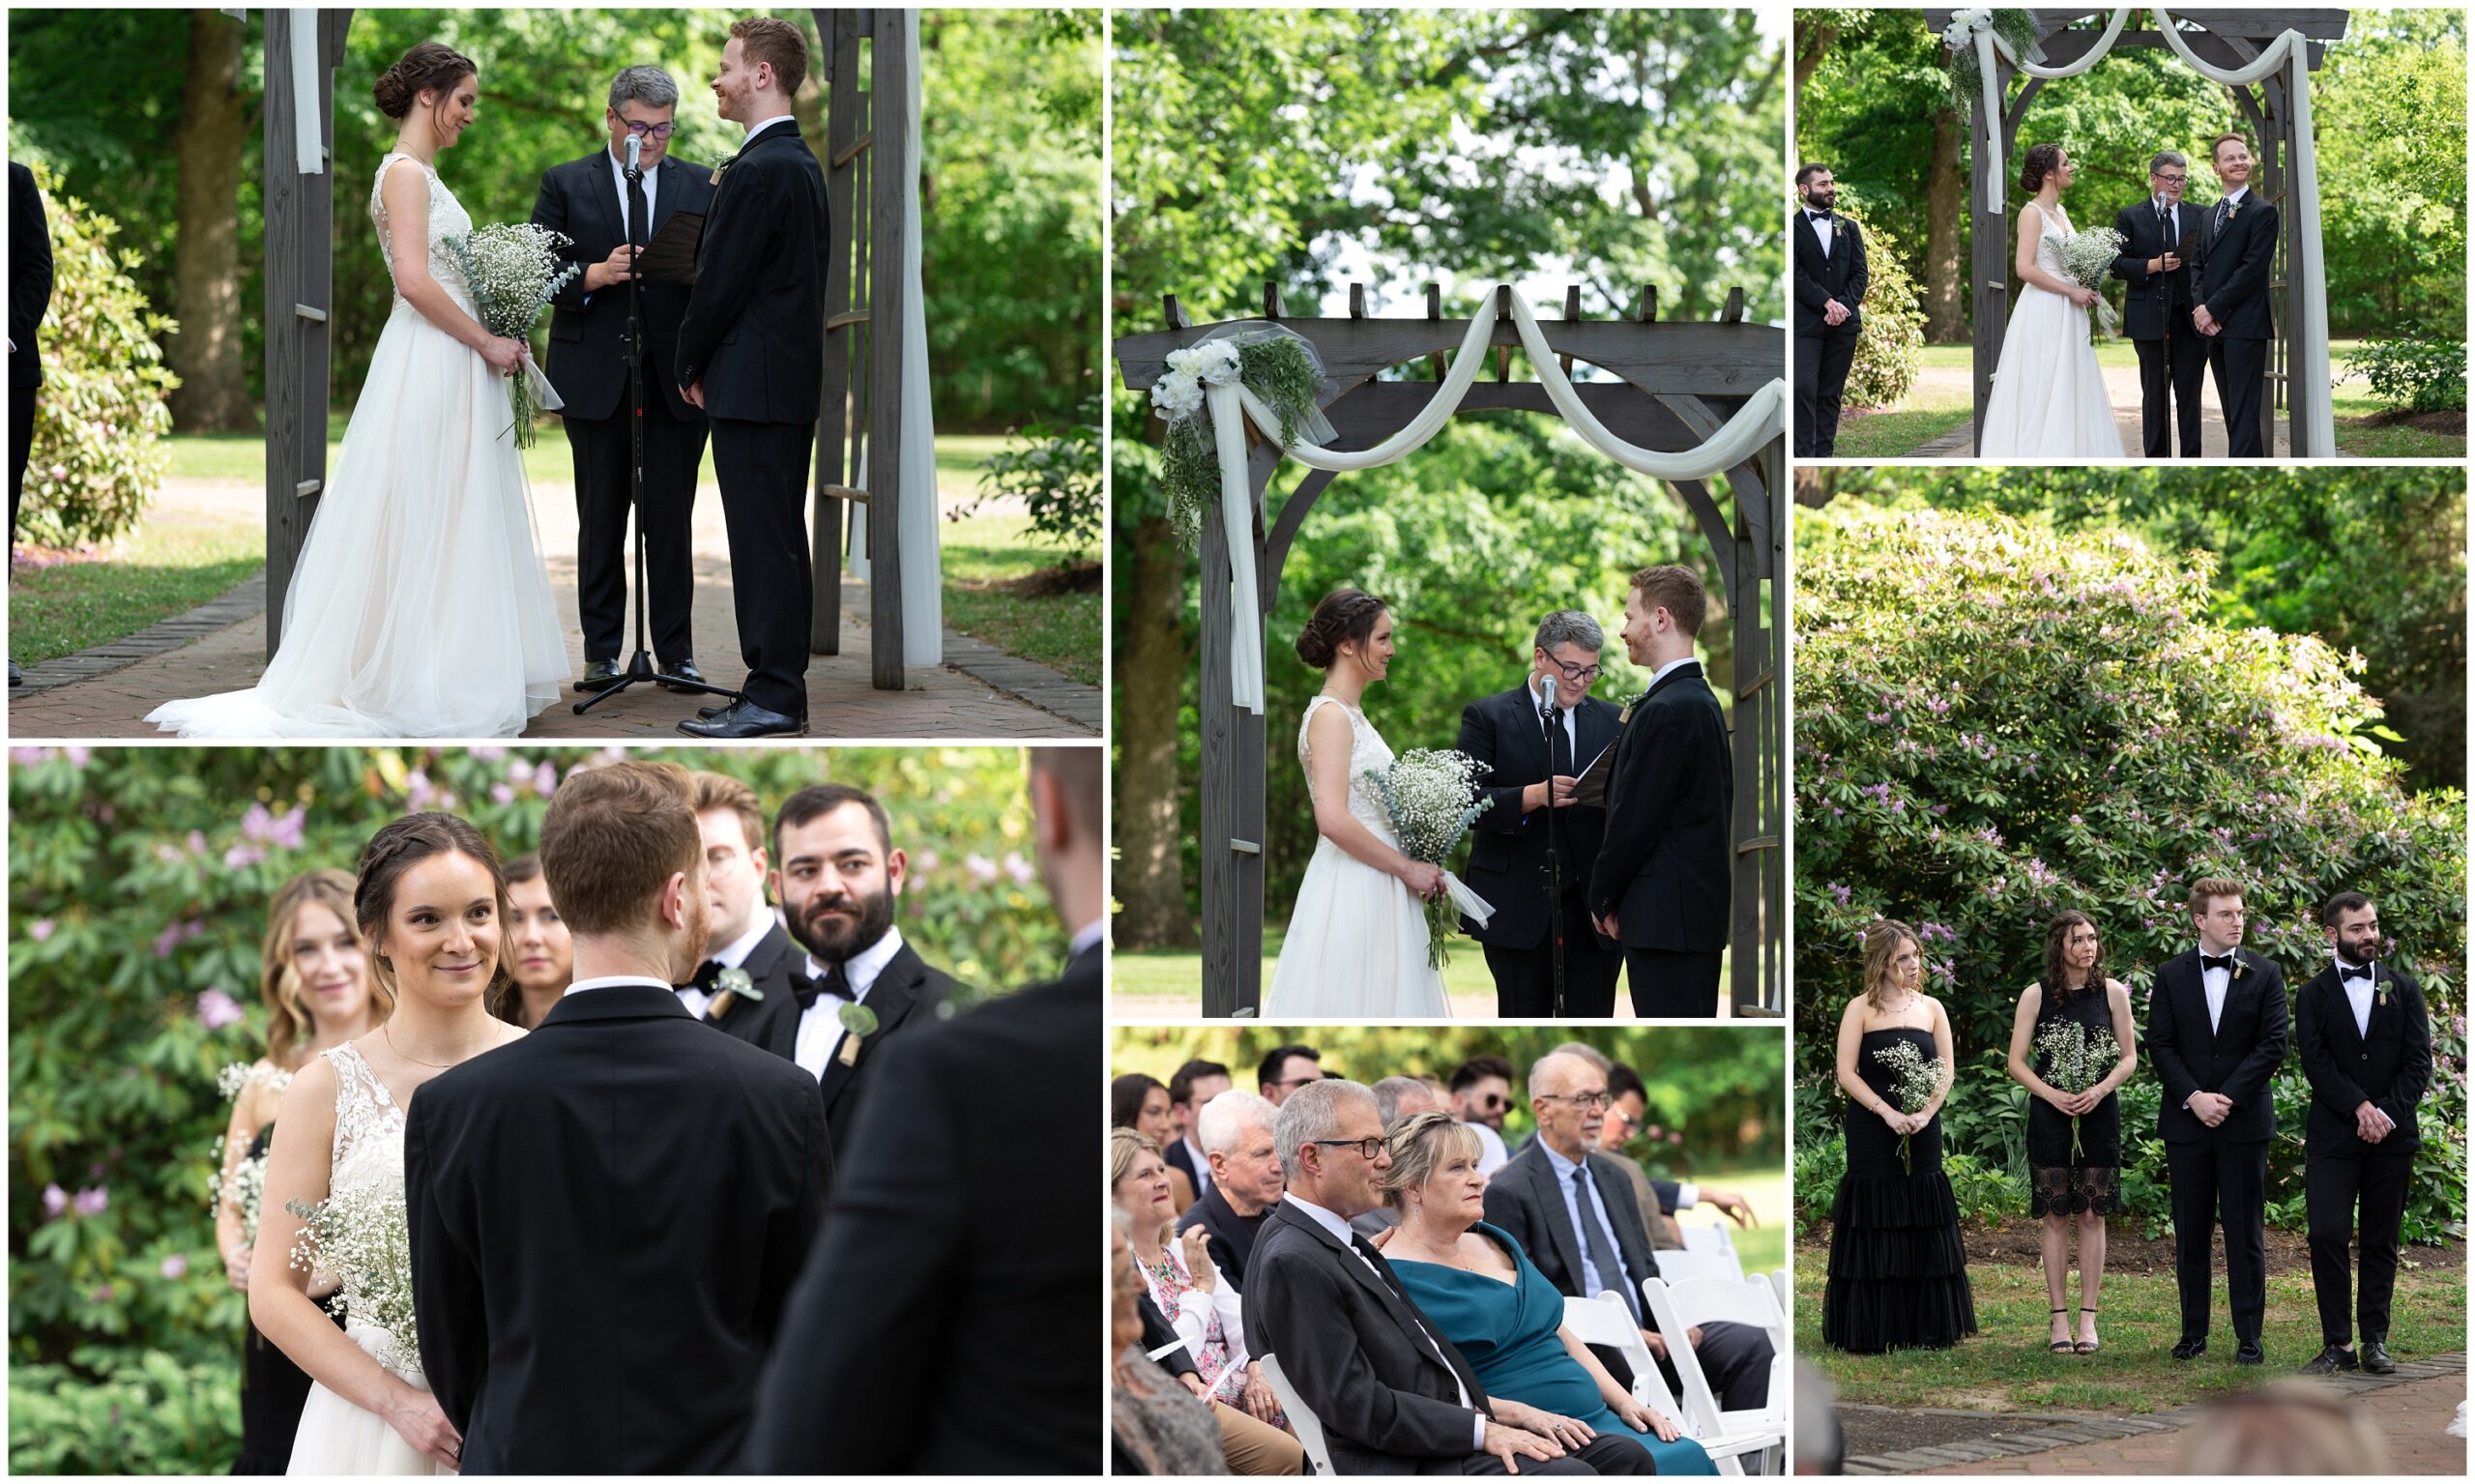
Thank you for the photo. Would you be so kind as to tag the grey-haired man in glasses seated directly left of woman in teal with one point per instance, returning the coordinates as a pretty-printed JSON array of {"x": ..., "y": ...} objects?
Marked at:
[{"x": 1392, "y": 1394}]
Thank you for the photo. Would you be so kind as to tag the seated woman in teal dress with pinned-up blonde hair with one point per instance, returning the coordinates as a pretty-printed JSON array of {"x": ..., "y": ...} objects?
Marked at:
[{"x": 1476, "y": 1285}]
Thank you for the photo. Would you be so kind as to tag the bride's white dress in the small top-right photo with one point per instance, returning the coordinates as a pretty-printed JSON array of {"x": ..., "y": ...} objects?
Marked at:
[{"x": 2048, "y": 399}]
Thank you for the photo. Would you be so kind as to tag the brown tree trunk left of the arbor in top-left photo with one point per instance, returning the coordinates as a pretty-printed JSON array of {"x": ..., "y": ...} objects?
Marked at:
[{"x": 214, "y": 394}]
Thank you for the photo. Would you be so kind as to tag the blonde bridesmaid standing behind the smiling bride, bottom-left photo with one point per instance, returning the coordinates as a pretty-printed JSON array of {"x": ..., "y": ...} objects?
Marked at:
[{"x": 313, "y": 976}]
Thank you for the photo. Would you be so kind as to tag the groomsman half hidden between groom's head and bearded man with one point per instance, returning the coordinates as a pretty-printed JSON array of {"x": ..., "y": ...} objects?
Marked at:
[{"x": 744, "y": 929}]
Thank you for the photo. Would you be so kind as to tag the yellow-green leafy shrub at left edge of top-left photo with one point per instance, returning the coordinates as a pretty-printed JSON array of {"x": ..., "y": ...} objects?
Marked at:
[{"x": 103, "y": 409}]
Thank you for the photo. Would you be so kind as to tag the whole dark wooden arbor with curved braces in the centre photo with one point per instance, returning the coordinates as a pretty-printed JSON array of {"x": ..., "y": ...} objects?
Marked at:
[{"x": 1677, "y": 387}]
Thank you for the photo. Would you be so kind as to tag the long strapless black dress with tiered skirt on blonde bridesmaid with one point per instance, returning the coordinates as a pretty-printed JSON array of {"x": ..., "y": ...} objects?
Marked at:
[{"x": 1900, "y": 1273}]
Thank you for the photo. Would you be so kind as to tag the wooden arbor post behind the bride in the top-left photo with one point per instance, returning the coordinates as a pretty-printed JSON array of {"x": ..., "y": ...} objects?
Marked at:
[{"x": 301, "y": 301}]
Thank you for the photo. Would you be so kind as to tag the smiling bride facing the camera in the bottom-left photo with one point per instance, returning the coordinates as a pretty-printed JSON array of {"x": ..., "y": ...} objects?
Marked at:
[{"x": 434, "y": 909}]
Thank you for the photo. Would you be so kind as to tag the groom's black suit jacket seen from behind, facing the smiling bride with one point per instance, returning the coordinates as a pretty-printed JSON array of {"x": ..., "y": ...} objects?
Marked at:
[{"x": 603, "y": 1211}]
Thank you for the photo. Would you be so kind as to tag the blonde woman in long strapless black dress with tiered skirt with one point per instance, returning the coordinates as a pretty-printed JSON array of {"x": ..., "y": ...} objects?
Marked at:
[{"x": 1900, "y": 1270}]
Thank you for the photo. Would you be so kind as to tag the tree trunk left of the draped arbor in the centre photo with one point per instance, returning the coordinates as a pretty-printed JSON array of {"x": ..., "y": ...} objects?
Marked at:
[{"x": 1150, "y": 795}]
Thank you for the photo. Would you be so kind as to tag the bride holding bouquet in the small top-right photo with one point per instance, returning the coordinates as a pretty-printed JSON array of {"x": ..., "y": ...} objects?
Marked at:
[{"x": 2048, "y": 399}]
